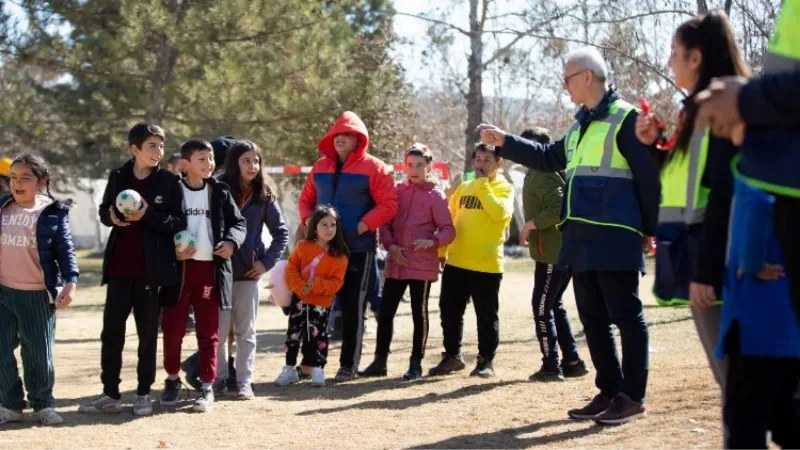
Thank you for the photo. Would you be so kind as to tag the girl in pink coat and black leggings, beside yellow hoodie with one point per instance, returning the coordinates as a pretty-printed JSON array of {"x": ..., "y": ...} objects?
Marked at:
[{"x": 413, "y": 237}]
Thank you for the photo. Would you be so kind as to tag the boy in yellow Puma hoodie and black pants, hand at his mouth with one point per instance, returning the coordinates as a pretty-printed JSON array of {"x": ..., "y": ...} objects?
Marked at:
[{"x": 481, "y": 209}]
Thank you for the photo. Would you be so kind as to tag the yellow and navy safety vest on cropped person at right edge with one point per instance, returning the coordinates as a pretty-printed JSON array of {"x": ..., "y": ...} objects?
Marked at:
[{"x": 770, "y": 160}]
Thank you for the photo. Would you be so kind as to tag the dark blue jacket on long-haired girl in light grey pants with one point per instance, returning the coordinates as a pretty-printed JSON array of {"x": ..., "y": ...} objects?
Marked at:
[{"x": 253, "y": 248}]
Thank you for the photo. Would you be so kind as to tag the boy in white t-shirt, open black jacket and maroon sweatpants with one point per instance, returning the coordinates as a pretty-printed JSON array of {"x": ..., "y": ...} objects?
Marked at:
[{"x": 219, "y": 229}]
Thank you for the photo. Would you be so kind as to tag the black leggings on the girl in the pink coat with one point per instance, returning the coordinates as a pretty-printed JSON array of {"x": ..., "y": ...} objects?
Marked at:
[{"x": 393, "y": 291}]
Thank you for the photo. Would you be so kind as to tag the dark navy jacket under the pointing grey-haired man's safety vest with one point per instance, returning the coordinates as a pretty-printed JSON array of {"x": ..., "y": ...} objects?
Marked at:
[{"x": 589, "y": 247}]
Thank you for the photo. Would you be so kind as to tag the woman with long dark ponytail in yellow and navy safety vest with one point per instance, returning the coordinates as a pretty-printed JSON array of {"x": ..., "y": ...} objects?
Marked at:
[{"x": 697, "y": 183}]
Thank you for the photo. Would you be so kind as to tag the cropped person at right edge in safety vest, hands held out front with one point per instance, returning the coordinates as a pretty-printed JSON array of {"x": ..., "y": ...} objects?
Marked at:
[{"x": 763, "y": 115}]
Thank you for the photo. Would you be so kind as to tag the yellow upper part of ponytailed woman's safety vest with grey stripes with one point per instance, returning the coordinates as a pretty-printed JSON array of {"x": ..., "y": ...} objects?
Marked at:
[{"x": 683, "y": 197}]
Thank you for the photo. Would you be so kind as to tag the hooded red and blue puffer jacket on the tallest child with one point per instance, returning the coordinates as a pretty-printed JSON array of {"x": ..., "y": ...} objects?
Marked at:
[{"x": 361, "y": 189}]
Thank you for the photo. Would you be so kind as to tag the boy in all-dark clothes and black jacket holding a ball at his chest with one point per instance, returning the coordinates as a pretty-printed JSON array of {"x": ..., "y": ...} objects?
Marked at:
[{"x": 139, "y": 265}]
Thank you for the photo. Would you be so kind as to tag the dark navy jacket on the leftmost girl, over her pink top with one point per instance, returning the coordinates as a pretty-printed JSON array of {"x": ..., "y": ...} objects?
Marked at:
[{"x": 54, "y": 242}]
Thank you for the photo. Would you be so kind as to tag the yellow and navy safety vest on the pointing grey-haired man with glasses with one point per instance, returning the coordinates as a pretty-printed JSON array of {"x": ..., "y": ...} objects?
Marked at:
[{"x": 597, "y": 156}]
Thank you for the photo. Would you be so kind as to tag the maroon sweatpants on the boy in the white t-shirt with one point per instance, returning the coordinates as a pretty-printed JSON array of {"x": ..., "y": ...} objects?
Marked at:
[{"x": 199, "y": 292}]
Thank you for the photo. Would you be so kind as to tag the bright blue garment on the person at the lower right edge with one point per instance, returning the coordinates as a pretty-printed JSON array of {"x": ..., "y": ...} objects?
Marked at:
[{"x": 761, "y": 309}]
